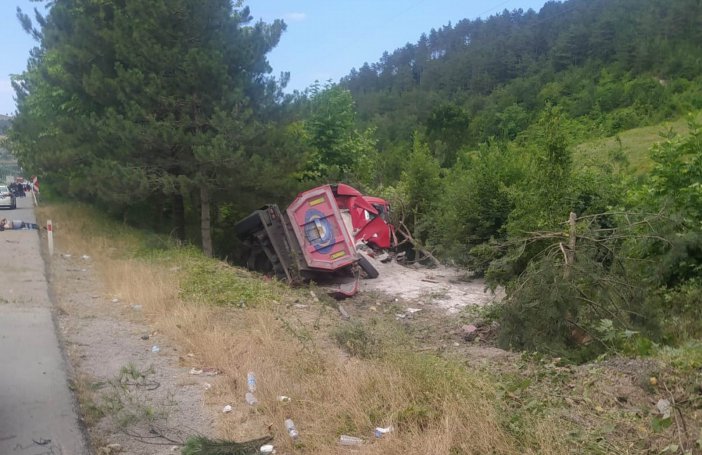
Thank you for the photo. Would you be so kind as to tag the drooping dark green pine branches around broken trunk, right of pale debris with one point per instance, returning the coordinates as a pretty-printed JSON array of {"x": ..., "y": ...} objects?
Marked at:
[{"x": 580, "y": 310}]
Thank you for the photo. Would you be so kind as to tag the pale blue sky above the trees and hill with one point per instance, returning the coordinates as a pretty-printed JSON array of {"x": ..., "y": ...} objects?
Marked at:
[{"x": 324, "y": 39}]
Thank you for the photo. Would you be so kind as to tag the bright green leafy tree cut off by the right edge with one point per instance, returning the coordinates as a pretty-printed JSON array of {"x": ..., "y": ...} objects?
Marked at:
[{"x": 675, "y": 257}]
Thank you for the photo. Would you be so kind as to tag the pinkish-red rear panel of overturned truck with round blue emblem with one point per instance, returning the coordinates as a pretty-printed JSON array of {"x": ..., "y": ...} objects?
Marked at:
[{"x": 317, "y": 223}]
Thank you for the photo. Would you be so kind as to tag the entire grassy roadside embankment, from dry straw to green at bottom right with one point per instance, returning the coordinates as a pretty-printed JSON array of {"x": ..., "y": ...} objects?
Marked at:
[{"x": 347, "y": 378}]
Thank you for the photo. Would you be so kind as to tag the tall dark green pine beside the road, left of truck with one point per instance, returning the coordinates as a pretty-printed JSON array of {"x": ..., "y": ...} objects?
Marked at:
[{"x": 142, "y": 94}]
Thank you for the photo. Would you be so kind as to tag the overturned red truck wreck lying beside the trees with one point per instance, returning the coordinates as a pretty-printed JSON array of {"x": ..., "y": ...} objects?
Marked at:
[{"x": 316, "y": 237}]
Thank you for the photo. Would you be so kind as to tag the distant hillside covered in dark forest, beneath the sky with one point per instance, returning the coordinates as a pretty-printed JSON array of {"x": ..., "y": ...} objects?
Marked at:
[{"x": 610, "y": 64}]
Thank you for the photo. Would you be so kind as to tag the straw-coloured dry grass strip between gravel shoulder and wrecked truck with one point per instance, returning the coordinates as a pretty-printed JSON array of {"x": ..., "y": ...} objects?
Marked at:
[{"x": 436, "y": 406}]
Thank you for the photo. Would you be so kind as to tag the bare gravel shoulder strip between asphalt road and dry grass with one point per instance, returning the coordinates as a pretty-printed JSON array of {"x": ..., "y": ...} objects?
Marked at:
[{"x": 131, "y": 385}]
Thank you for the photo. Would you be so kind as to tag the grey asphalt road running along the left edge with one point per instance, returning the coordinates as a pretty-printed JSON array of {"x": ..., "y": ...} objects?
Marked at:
[{"x": 37, "y": 411}]
